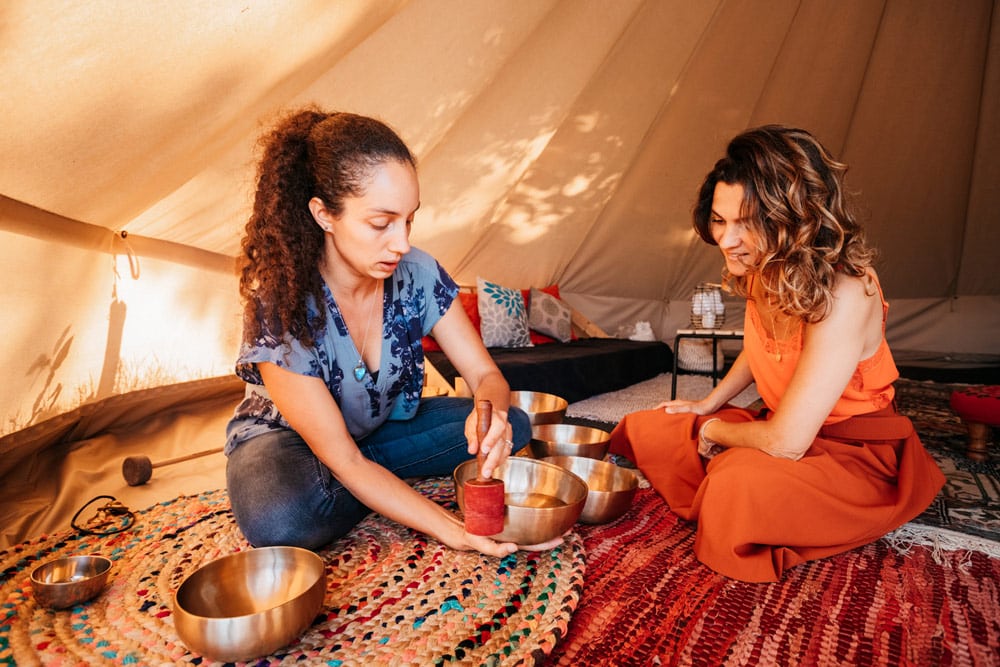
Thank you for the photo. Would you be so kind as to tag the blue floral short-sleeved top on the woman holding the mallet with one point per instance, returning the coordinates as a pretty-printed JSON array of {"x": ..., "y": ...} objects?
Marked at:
[{"x": 416, "y": 296}]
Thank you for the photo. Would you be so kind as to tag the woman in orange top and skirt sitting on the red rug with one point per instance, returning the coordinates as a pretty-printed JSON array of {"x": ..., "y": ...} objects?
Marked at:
[{"x": 828, "y": 465}]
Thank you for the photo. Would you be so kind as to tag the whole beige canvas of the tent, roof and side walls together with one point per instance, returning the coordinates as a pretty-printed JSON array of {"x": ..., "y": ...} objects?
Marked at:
[{"x": 559, "y": 141}]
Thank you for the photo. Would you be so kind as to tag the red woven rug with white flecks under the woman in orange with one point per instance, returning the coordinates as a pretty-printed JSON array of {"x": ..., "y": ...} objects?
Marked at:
[{"x": 647, "y": 601}]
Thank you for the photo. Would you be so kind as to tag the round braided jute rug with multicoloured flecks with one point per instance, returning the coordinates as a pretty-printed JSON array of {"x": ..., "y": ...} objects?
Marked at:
[{"x": 393, "y": 595}]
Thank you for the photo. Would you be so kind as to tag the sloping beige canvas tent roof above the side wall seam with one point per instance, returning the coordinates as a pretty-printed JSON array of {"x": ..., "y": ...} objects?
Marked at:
[{"x": 546, "y": 130}]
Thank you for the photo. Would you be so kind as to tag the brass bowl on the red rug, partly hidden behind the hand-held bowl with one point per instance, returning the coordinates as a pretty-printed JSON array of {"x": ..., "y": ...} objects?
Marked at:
[{"x": 611, "y": 488}]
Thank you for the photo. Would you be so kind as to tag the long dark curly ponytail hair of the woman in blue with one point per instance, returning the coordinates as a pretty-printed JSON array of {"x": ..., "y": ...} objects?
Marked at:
[{"x": 308, "y": 153}]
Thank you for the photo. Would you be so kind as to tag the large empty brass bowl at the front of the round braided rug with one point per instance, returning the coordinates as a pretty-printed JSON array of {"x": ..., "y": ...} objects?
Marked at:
[{"x": 251, "y": 603}]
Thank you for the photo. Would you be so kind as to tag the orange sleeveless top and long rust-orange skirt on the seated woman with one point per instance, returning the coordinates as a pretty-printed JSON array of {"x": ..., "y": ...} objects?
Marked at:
[{"x": 865, "y": 474}]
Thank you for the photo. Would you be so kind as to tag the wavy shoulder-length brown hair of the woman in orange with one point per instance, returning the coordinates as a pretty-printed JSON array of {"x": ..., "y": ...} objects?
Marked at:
[{"x": 796, "y": 207}]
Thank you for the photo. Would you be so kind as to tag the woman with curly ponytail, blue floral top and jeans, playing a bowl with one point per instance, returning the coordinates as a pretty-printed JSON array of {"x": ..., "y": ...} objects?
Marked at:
[{"x": 336, "y": 304}]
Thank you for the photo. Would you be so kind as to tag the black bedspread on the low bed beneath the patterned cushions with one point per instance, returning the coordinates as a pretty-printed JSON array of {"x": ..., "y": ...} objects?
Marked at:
[{"x": 575, "y": 370}]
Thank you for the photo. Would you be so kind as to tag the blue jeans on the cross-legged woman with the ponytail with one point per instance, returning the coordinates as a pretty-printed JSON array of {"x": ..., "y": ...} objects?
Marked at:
[{"x": 282, "y": 494}]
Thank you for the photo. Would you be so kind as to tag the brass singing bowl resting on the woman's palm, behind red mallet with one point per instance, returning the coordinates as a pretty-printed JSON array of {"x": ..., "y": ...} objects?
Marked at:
[{"x": 542, "y": 501}]
